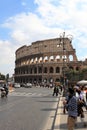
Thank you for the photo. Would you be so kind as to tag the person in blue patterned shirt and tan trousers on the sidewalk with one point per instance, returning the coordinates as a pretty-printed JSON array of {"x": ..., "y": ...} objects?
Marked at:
[{"x": 71, "y": 106}]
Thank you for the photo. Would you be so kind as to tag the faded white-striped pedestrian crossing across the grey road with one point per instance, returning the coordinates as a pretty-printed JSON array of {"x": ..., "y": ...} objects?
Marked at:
[{"x": 26, "y": 94}]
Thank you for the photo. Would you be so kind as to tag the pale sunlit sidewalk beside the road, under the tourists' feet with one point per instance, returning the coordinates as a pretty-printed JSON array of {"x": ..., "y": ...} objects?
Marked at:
[{"x": 61, "y": 119}]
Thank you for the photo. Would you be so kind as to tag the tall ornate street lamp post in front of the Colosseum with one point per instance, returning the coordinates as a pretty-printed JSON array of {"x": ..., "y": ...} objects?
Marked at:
[{"x": 62, "y": 44}]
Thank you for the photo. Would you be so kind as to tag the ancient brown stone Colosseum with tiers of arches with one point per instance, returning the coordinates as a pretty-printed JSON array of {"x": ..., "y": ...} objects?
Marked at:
[{"x": 45, "y": 61}]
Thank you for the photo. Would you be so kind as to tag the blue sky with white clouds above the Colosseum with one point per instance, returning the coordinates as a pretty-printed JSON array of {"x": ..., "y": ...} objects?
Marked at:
[{"x": 25, "y": 21}]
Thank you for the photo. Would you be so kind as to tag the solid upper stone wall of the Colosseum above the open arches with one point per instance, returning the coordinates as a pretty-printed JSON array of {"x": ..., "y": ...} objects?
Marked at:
[{"x": 47, "y": 47}]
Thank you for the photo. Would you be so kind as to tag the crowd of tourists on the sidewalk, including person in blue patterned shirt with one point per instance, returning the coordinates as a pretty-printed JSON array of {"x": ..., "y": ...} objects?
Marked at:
[{"x": 74, "y": 104}]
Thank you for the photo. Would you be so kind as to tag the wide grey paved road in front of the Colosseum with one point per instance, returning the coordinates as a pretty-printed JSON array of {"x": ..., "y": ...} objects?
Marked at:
[{"x": 28, "y": 109}]
